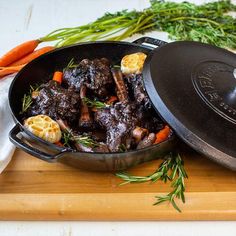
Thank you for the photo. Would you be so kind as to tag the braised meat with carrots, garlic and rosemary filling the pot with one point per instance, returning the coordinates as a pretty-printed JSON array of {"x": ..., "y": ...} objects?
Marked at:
[{"x": 99, "y": 107}]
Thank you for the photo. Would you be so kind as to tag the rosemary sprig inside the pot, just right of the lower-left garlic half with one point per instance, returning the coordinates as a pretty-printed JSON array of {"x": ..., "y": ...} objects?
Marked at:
[{"x": 84, "y": 140}]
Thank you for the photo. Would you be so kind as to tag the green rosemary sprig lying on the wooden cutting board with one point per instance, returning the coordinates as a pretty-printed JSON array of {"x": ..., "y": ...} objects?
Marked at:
[{"x": 171, "y": 169}]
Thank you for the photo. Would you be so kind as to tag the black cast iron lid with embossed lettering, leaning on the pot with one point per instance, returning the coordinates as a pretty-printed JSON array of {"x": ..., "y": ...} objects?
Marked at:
[{"x": 193, "y": 87}]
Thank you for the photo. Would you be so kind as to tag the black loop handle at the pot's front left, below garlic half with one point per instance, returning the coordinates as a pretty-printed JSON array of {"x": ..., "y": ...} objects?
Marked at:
[{"x": 18, "y": 142}]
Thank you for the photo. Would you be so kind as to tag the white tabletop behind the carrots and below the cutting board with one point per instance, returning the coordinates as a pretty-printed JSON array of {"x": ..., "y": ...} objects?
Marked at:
[{"x": 28, "y": 19}]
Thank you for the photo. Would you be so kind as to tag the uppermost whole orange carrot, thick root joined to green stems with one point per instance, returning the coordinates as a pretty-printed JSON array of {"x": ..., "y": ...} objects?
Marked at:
[{"x": 18, "y": 52}]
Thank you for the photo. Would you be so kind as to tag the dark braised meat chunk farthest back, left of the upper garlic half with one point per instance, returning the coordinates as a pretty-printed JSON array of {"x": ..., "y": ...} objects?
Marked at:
[{"x": 94, "y": 74}]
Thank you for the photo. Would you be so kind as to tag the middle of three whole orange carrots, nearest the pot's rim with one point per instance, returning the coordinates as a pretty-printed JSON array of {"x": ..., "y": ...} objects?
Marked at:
[{"x": 29, "y": 57}]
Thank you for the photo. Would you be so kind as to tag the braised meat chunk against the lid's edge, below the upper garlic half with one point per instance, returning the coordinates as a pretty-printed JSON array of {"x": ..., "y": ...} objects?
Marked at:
[{"x": 137, "y": 90}]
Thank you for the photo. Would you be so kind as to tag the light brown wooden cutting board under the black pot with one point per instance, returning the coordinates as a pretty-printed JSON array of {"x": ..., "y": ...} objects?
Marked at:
[{"x": 31, "y": 189}]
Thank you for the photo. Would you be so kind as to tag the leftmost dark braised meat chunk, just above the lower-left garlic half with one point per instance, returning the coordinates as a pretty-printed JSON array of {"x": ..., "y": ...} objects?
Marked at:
[{"x": 56, "y": 102}]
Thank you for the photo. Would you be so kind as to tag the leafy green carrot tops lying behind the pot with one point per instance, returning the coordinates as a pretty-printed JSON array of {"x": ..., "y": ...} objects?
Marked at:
[{"x": 207, "y": 23}]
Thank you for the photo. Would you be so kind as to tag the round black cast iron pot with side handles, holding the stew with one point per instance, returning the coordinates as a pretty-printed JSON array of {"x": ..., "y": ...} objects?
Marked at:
[{"x": 40, "y": 70}]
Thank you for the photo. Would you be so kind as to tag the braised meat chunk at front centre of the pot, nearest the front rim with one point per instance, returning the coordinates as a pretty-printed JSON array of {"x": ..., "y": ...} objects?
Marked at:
[{"x": 119, "y": 121}]
